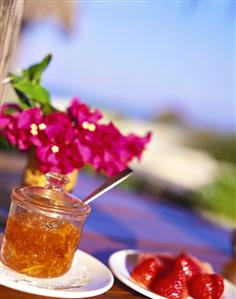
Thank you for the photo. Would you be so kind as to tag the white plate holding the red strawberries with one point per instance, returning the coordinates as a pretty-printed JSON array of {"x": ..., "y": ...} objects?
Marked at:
[{"x": 122, "y": 262}]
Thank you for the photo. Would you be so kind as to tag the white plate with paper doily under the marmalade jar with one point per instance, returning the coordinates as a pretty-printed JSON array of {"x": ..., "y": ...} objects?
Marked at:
[{"x": 96, "y": 278}]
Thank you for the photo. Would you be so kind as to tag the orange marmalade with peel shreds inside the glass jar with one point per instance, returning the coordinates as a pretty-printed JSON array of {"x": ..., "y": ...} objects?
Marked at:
[{"x": 39, "y": 246}]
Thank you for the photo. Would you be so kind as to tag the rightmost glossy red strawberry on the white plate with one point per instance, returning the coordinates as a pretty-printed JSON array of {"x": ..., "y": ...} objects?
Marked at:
[{"x": 206, "y": 286}]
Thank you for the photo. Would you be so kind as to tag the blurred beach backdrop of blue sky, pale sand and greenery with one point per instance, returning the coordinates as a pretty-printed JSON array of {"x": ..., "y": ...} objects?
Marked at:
[{"x": 164, "y": 66}]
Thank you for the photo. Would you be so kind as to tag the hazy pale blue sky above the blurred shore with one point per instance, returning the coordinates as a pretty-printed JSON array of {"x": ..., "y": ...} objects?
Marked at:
[{"x": 142, "y": 57}]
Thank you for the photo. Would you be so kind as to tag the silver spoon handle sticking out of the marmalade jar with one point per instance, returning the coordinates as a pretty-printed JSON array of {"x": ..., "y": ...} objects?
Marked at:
[{"x": 109, "y": 184}]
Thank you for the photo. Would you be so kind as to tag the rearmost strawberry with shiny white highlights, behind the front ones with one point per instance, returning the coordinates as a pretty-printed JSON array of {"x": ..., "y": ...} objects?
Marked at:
[{"x": 188, "y": 265}]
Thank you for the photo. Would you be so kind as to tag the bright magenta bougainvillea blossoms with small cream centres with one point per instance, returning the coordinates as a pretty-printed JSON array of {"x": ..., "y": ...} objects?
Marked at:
[{"x": 64, "y": 141}]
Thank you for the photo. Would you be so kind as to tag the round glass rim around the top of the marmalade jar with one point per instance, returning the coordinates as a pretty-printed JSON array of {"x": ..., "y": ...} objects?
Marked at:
[{"x": 78, "y": 209}]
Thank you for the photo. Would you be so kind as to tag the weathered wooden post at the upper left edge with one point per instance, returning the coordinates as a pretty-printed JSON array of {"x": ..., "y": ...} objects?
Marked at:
[{"x": 10, "y": 21}]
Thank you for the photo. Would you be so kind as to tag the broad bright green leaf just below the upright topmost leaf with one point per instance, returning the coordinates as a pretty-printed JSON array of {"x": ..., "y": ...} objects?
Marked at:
[{"x": 33, "y": 92}]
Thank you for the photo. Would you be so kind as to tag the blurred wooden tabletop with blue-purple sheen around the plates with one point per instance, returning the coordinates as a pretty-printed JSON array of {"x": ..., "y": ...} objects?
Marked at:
[{"x": 122, "y": 219}]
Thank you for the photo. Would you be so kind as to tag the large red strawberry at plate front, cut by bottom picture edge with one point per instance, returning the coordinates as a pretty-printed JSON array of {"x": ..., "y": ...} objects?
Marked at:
[{"x": 172, "y": 285}]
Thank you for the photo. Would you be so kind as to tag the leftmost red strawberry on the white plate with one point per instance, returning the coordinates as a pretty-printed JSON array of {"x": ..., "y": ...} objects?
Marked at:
[{"x": 146, "y": 272}]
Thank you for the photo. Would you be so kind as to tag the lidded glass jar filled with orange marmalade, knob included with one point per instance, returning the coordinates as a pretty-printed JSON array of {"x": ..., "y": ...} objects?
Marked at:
[{"x": 43, "y": 229}]
